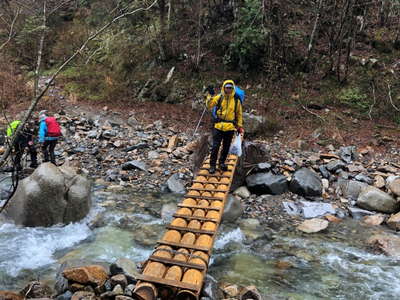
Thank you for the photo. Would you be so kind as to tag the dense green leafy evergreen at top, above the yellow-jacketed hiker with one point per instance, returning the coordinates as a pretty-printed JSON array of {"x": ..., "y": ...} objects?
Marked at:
[{"x": 248, "y": 46}]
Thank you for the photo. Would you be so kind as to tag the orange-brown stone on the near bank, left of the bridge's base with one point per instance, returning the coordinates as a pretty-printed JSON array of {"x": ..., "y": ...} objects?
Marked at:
[{"x": 93, "y": 274}]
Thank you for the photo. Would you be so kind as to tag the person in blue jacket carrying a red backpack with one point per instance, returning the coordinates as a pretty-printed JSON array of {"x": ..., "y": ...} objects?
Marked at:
[{"x": 49, "y": 132}]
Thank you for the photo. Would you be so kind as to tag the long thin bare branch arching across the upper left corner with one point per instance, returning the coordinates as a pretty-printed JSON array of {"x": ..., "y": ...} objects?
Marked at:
[{"x": 36, "y": 99}]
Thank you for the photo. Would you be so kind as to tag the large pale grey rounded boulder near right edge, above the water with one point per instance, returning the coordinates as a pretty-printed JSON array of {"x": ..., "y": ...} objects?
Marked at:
[{"x": 372, "y": 198}]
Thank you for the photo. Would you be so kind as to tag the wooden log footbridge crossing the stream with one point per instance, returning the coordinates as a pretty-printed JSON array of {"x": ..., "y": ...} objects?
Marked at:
[{"x": 177, "y": 267}]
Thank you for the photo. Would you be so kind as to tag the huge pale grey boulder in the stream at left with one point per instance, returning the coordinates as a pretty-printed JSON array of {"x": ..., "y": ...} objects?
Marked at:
[{"x": 50, "y": 196}]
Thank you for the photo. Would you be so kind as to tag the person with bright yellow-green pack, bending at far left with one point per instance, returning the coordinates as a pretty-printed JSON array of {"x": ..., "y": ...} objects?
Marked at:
[{"x": 25, "y": 139}]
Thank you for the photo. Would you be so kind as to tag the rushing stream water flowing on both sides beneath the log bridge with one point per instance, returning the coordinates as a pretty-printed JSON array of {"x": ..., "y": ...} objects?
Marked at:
[{"x": 286, "y": 264}]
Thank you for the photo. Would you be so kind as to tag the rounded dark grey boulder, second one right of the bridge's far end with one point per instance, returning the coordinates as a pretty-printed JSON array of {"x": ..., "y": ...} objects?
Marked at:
[{"x": 306, "y": 183}]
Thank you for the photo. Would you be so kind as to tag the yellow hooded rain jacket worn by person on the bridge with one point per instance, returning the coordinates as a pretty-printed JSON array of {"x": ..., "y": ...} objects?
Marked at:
[{"x": 228, "y": 118}]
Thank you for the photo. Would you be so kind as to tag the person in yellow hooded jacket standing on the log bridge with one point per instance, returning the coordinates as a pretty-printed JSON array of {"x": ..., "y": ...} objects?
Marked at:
[{"x": 227, "y": 119}]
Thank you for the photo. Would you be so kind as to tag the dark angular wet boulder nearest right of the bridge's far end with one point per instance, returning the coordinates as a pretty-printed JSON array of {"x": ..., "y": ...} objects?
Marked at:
[{"x": 267, "y": 183}]
